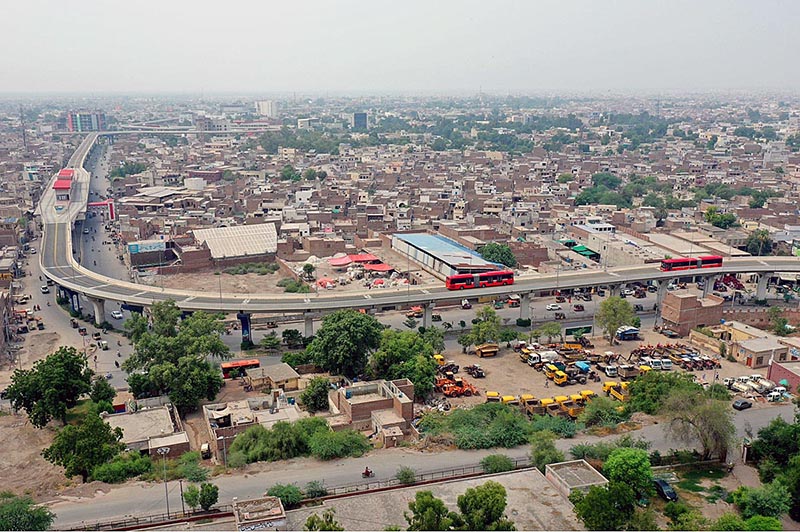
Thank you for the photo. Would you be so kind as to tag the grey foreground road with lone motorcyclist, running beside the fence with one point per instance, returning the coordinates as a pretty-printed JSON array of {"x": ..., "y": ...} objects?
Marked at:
[{"x": 142, "y": 498}]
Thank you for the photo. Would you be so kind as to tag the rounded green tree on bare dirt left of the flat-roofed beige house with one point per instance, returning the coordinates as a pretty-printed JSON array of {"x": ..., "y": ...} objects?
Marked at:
[{"x": 79, "y": 449}]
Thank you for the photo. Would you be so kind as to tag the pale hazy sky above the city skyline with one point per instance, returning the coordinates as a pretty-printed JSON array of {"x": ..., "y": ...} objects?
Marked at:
[{"x": 399, "y": 46}]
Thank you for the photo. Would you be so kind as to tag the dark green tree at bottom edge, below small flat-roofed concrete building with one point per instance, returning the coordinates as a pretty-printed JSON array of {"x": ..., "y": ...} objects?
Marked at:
[{"x": 605, "y": 508}]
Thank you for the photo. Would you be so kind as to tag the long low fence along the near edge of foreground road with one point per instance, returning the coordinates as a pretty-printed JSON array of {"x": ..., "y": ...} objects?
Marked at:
[{"x": 226, "y": 510}]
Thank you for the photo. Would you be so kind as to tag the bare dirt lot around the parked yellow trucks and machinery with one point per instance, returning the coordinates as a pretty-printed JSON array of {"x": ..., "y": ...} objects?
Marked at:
[{"x": 508, "y": 375}]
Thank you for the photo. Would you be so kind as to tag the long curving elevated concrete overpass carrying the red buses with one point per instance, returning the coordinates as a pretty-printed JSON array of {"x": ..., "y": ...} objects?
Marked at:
[{"x": 73, "y": 279}]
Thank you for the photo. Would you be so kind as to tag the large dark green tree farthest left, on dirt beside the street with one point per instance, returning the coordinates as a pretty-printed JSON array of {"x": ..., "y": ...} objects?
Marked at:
[{"x": 51, "y": 386}]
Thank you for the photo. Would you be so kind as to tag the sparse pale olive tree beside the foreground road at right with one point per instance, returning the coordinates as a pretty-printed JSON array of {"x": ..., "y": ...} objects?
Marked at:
[{"x": 692, "y": 416}]
